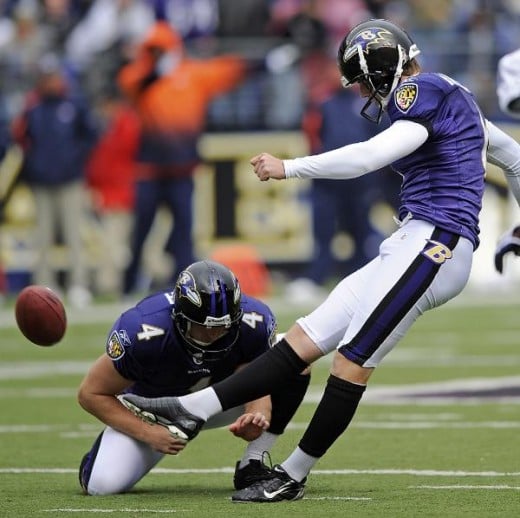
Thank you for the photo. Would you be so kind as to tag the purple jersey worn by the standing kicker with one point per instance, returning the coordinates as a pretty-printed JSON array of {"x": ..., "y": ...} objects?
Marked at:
[{"x": 443, "y": 180}]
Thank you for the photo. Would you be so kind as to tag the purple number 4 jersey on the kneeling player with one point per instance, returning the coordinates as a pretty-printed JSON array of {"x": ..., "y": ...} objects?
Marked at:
[{"x": 146, "y": 347}]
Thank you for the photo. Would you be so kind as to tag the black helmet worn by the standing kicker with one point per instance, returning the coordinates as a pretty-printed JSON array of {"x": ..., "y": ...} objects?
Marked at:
[{"x": 374, "y": 53}]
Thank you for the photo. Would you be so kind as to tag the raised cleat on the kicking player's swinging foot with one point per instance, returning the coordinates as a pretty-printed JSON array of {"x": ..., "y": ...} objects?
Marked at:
[{"x": 165, "y": 411}]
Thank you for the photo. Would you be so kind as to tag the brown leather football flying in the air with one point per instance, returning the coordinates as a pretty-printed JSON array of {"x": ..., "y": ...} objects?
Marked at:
[{"x": 40, "y": 315}]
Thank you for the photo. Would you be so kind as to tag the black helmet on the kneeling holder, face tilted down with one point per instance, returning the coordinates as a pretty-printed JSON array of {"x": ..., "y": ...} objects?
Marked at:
[{"x": 207, "y": 293}]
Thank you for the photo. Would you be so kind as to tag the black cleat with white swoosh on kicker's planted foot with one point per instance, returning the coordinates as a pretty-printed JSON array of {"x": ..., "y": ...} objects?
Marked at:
[{"x": 275, "y": 489}]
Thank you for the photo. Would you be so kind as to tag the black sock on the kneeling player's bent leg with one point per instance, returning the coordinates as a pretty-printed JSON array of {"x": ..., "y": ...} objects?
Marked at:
[{"x": 285, "y": 400}]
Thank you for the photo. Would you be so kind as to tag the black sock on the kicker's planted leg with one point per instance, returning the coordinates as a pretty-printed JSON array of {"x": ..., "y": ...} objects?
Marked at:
[{"x": 332, "y": 416}]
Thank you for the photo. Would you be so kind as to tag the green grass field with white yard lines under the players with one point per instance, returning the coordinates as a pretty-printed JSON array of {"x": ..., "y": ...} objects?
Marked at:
[{"x": 437, "y": 434}]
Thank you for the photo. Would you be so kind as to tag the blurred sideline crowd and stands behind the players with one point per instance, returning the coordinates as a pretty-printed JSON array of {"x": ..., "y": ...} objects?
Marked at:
[{"x": 107, "y": 112}]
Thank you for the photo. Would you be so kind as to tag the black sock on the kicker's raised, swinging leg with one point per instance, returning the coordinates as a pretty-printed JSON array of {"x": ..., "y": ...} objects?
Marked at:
[{"x": 260, "y": 377}]
